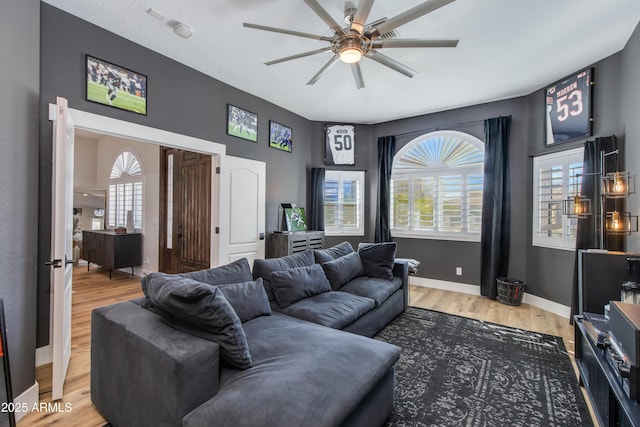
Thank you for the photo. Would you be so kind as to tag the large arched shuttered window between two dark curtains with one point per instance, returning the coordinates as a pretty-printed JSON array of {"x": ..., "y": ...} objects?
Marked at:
[{"x": 436, "y": 187}]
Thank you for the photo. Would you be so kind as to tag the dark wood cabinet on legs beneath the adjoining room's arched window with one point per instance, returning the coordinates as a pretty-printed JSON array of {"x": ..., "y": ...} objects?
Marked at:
[{"x": 112, "y": 250}]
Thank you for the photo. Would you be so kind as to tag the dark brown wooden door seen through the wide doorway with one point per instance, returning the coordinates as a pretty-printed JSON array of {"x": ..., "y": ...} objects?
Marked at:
[{"x": 185, "y": 236}]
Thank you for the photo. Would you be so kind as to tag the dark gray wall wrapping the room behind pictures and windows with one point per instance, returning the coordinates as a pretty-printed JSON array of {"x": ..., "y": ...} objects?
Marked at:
[{"x": 197, "y": 107}]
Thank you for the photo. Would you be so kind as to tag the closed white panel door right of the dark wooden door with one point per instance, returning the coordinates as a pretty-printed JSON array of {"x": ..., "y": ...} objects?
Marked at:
[{"x": 242, "y": 209}]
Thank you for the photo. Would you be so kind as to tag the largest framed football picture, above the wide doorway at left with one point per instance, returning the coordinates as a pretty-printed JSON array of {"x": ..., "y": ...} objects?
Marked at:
[{"x": 115, "y": 86}]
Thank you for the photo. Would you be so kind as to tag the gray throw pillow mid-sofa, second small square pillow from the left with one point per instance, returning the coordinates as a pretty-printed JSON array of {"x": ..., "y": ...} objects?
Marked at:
[{"x": 292, "y": 285}]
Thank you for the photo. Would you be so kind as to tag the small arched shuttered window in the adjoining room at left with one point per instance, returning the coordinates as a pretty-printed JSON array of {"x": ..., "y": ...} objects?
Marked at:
[{"x": 125, "y": 192}]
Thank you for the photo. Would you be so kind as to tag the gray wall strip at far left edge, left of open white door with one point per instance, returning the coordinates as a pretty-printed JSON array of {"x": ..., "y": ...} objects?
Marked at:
[{"x": 19, "y": 86}]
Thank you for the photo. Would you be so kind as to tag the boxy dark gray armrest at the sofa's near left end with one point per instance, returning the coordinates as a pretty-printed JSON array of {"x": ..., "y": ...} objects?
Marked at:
[{"x": 144, "y": 372}]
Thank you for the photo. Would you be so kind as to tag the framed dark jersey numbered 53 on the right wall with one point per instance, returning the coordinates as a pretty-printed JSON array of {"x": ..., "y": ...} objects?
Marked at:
[{"x": 568, "y": 108}]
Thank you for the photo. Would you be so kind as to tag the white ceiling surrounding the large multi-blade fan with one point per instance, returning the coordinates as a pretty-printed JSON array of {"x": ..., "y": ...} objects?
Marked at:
[{"x": 507, "y": 48}]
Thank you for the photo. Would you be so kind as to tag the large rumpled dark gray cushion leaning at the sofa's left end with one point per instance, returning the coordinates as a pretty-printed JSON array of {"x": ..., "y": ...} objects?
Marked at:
[{"x": 201, "y": 310}]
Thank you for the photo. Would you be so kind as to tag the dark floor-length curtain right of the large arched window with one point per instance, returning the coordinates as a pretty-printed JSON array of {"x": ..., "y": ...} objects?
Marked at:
[{"x": 496, "y": 205}]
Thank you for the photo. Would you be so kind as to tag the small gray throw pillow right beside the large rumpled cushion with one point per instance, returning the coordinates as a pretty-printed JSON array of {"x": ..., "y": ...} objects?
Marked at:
[{"x": 248, "y": 299}]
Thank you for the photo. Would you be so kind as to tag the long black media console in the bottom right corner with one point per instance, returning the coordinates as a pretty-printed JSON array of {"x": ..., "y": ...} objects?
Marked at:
[{"x": 610, "y": 403}]
